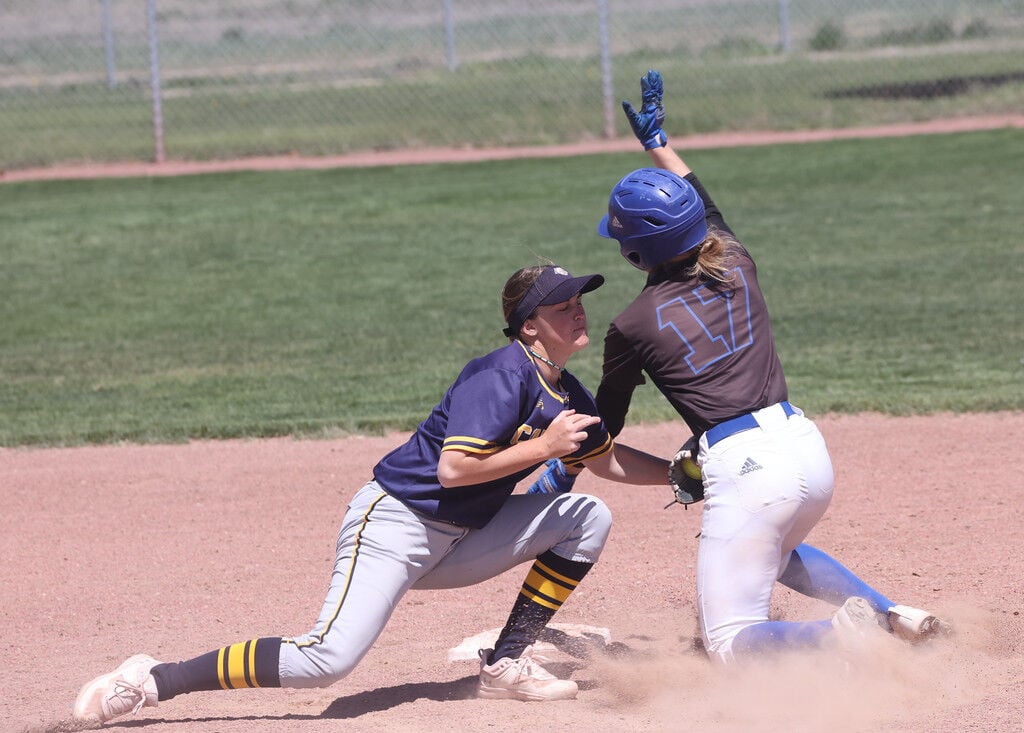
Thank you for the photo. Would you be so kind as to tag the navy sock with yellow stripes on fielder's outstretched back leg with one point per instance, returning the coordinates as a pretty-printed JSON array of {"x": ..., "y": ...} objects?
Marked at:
[{"x": 249, "y": 664}]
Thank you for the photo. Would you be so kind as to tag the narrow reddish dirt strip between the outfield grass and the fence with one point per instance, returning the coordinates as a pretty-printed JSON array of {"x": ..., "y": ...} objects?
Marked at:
[{"x": 372, "y": 159}]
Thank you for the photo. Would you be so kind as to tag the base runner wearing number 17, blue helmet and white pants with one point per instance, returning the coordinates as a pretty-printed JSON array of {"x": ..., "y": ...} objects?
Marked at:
[{"x": 701, "y": 331}]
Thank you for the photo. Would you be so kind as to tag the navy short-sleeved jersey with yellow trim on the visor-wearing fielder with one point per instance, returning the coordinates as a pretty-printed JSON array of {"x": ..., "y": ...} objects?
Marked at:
[{"x": 498, "y": 401}]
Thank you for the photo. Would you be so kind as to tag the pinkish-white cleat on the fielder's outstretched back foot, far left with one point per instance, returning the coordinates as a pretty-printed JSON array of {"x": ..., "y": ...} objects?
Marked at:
[{"x": 127, "y": 689}]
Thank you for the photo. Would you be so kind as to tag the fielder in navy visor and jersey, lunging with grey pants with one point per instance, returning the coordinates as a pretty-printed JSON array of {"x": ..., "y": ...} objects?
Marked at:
[{"x": 440, "y": 512}]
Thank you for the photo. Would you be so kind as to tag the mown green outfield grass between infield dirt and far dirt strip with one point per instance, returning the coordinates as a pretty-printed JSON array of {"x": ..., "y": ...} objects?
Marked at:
[{"x": 322, "y": 303}]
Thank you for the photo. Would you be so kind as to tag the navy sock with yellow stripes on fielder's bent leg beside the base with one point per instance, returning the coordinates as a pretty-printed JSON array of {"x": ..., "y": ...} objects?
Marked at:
[{"x": 548, "y": 585}]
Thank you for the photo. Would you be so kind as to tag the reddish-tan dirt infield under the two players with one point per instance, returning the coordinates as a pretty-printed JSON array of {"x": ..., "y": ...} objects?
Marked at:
[{"x": 178, "y": 550}]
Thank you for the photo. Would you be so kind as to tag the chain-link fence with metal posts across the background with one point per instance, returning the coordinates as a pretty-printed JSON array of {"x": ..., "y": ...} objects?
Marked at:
[{"x": 107, "y": 80}]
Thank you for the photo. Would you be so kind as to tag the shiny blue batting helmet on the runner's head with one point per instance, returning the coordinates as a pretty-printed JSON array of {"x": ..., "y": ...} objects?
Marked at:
[{"x": 656, "y": 215}]
